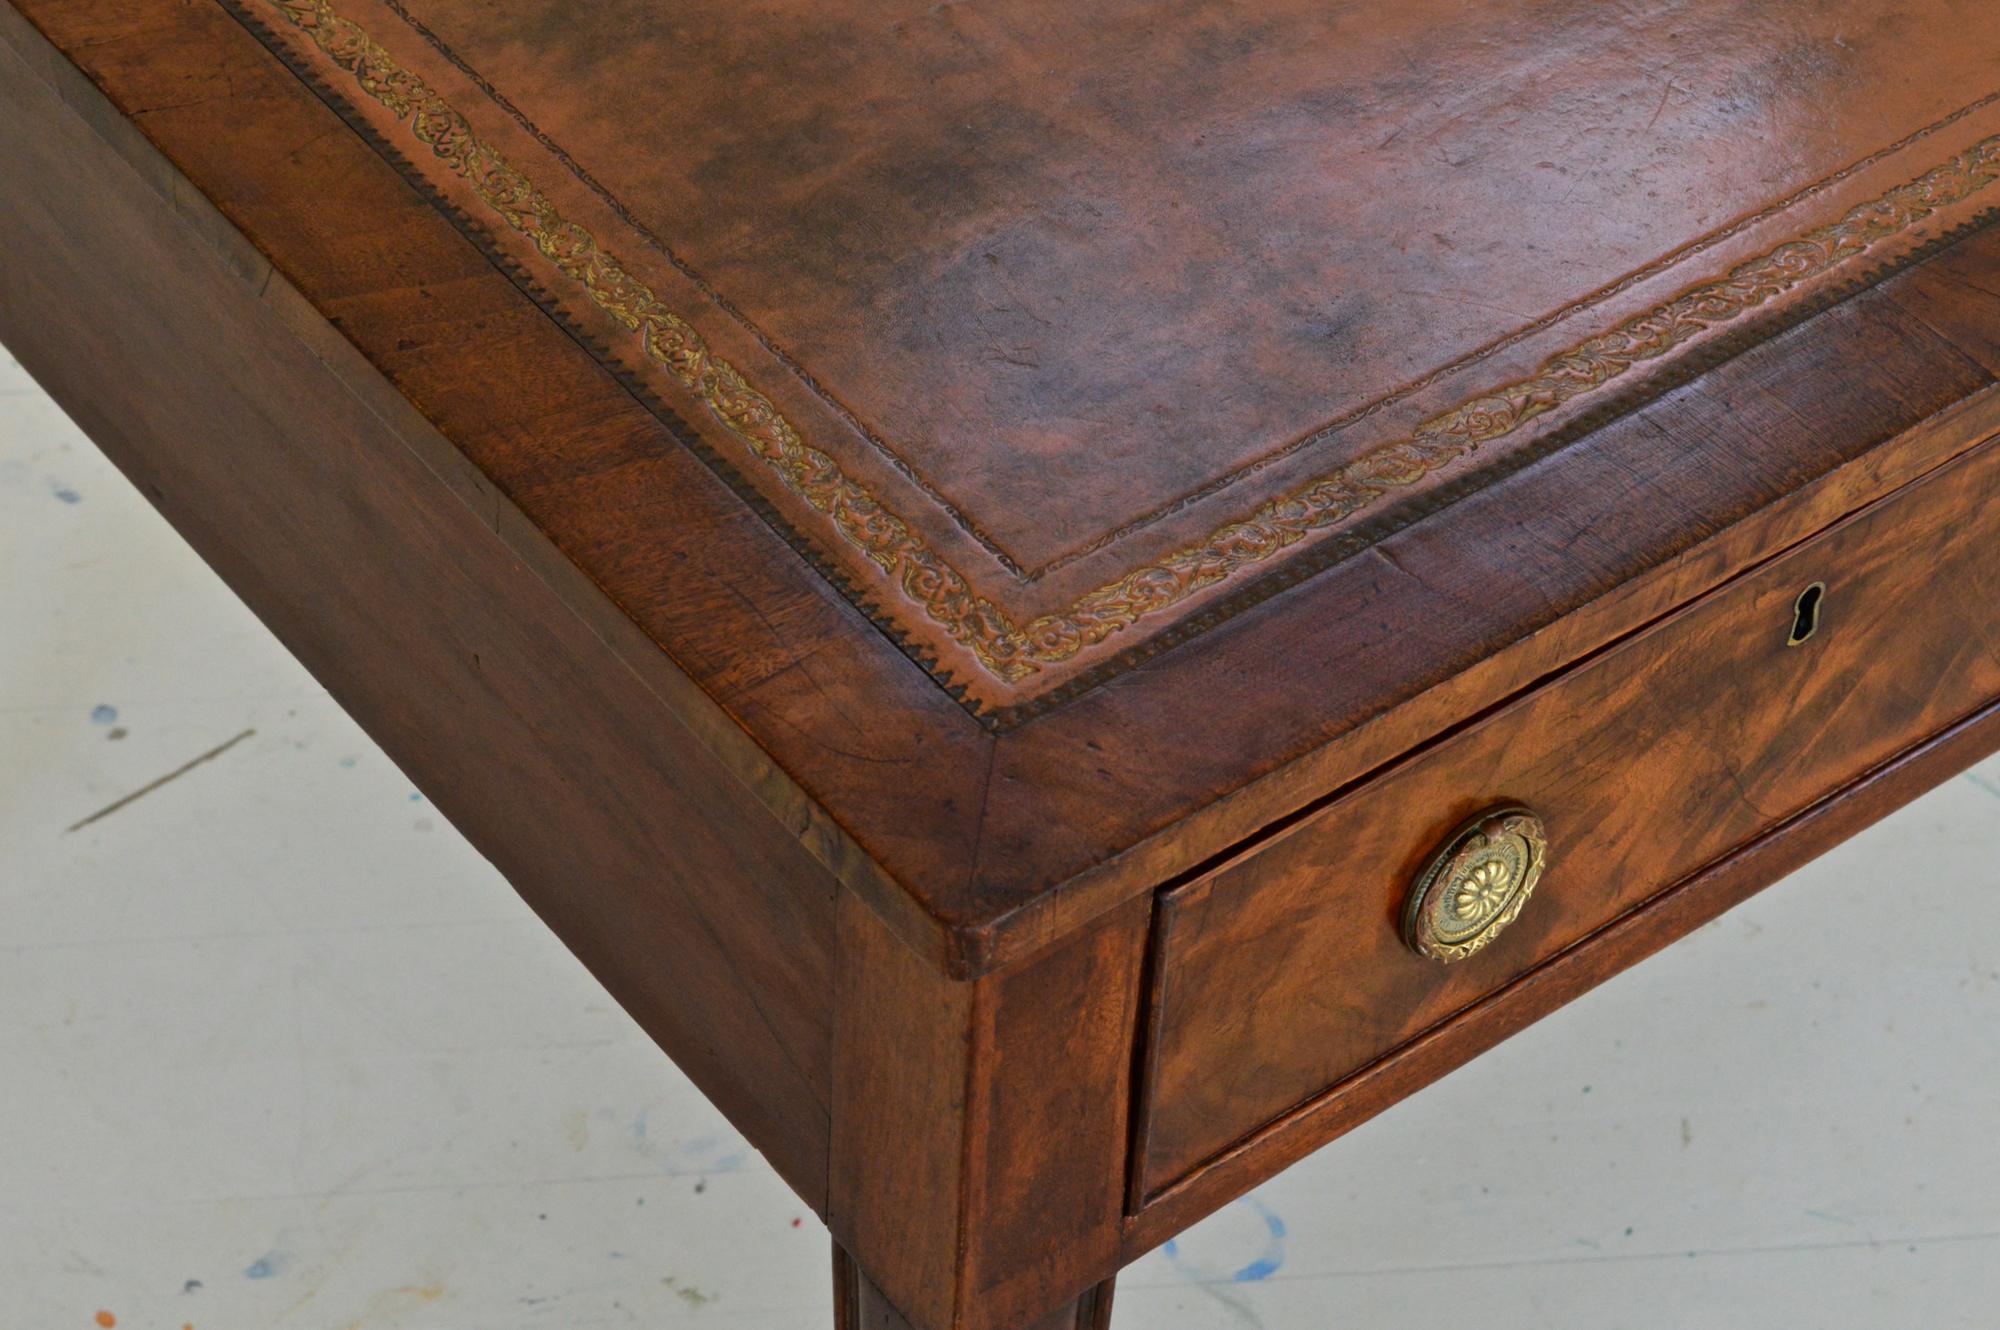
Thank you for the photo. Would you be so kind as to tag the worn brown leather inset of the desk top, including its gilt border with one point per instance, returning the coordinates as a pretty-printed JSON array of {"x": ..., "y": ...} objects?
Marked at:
[{"x": 1073, "y": 289}]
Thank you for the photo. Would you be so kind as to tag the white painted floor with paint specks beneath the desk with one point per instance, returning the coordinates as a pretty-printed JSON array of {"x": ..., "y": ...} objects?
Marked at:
[{"x": 279, "y": 1051}]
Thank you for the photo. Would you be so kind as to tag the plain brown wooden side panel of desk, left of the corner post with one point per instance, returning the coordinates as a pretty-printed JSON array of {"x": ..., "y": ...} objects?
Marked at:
[{"x": 699, "y": 911}]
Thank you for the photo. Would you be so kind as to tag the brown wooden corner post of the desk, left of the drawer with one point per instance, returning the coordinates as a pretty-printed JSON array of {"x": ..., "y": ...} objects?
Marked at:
[{"x": 981, "y": 1129}]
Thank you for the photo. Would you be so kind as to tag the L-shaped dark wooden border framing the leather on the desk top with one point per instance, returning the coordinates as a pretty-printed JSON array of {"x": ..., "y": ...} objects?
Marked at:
[{"x": 985, "y": 847}]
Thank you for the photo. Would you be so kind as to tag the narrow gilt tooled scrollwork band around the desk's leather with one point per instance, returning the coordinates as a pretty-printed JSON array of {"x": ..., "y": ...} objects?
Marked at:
[{"x": 1011, "y": 651}]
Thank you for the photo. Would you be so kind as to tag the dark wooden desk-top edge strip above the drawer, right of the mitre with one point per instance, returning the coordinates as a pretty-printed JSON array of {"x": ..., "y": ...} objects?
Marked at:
[{"x": 1461, "y": 611}]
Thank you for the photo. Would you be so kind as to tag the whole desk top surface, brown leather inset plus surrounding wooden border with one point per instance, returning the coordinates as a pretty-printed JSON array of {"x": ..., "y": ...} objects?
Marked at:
[{"x": 1113, "y": 413}]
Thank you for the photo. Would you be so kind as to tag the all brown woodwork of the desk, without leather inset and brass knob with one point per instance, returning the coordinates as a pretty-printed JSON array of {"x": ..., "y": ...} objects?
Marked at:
[{"x": 907, "y": 947}]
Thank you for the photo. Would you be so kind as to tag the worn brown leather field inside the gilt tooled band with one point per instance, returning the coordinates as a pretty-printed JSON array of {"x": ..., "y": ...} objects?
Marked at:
[{"x": 1075, "y": 261}]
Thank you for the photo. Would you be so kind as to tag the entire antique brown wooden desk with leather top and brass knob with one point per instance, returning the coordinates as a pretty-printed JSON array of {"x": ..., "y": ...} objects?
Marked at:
[{"x": 1065, "y": 603}]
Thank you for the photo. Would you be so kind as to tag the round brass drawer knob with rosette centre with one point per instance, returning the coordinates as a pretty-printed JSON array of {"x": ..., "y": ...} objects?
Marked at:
[{"x": 1477, "y": 885}]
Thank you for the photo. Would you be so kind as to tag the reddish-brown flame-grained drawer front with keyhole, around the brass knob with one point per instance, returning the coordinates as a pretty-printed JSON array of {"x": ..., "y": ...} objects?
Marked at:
[{"x": 1287, "y": 971}]
